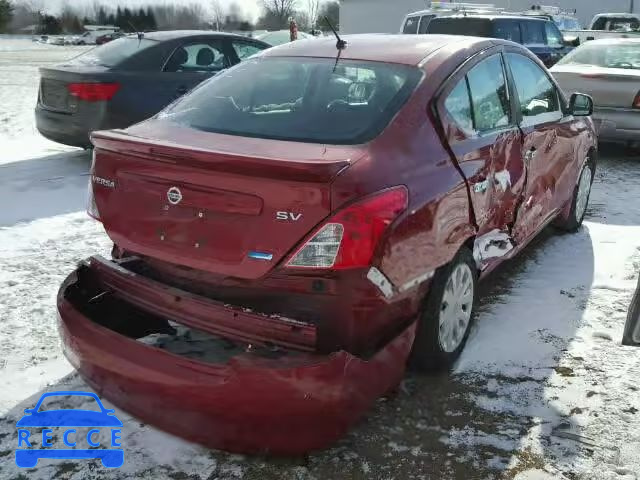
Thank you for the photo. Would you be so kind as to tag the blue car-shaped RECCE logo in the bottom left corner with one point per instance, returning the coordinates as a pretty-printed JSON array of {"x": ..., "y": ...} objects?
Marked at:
[{"x": 69, "y": 421}]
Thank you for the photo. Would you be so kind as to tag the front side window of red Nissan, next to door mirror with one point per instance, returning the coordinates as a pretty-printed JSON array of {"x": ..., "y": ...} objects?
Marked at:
[{"x": 537, "y": 95}]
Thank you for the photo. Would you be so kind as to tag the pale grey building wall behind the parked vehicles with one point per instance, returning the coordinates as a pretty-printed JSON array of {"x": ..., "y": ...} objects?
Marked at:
[{"x": 385, "y": 16}]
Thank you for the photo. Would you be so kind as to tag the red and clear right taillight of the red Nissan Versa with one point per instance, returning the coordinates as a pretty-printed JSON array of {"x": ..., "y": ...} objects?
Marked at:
[{"x": 349, "y": 238}]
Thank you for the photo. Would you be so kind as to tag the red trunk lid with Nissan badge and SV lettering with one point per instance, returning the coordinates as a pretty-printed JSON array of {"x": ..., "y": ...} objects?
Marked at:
[{"x": 229, "y": 205}]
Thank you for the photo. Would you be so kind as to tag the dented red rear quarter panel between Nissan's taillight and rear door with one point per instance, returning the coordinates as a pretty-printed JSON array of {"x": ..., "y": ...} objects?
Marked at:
[{"x": 410, "y": 152}]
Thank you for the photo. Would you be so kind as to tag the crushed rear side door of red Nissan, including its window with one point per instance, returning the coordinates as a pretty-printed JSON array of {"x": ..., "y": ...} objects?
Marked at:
[{"x": 476, "y": 112}]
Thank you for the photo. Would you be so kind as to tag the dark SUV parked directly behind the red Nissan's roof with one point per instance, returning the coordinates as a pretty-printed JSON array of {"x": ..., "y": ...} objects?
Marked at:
[{"x": 540, "y": 36}]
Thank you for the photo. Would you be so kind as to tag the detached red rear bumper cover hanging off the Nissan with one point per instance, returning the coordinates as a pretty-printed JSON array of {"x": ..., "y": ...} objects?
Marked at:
[{"x": 282, "y": 401}]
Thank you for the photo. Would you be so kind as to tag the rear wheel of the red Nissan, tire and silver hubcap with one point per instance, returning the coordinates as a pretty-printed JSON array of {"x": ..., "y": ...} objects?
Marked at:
[{"x": 447, "y": 315}]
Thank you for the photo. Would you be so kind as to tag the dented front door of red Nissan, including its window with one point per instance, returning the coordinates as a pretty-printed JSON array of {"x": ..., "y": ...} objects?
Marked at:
[{"x": 547, "y": 146}]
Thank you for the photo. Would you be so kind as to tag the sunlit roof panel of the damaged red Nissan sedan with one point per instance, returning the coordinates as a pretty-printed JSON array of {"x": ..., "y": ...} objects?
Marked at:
[{"x": 407, "y": 49}]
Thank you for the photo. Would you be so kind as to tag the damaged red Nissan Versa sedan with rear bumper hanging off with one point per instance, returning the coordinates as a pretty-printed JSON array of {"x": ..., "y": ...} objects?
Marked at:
[{"x": 292, "y": 233}]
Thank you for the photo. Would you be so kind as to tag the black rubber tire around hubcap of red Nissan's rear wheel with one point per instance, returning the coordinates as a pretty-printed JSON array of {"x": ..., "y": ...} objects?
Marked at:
[{"x": 428, "y": 354}]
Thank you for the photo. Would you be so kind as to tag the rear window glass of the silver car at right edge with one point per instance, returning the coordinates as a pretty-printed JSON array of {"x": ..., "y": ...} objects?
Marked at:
[{"x": 609, "y": 55}]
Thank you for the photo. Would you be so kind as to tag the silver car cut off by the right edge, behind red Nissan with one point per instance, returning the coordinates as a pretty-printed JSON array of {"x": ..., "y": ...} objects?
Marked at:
[{"x": 609, "y": 71}]
